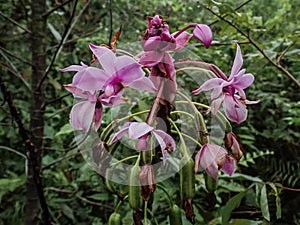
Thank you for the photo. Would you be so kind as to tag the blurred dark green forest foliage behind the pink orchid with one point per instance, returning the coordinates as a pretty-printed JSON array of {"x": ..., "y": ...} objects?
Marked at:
[{"x": 75, "y": 193}]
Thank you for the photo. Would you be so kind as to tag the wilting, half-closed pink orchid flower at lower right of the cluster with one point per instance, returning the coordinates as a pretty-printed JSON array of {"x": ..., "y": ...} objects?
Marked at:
[{"x": 213, "y": 157}]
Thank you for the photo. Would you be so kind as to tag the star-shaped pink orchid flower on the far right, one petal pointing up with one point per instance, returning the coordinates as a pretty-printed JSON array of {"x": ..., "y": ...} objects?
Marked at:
[{"x": 225, "y": 90}]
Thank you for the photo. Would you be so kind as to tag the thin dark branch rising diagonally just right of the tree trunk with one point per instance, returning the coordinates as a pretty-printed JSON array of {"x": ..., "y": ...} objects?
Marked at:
[{"x": 65, "y": 36}]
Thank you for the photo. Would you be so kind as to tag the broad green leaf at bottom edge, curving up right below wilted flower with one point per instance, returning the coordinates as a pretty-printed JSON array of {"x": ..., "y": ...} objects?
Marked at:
[{"x": 231, "y": 205}]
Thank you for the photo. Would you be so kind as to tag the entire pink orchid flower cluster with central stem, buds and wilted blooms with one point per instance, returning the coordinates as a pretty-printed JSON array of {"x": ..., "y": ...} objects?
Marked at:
[{"x": 103, "y": 85}]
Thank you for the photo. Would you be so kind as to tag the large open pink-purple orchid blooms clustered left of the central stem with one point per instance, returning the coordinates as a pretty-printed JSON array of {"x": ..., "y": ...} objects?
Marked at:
[{"x": 97, "y": 87}]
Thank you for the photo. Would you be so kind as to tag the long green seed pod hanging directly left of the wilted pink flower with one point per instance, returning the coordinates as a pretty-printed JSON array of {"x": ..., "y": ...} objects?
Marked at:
[{"x": 187, "y": 180}]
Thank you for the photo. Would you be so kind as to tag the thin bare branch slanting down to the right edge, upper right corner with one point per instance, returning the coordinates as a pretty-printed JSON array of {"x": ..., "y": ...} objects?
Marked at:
[{"x": 276, "y": 65}]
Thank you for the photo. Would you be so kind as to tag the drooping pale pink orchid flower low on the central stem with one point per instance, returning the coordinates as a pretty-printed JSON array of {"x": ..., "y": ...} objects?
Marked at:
[{"x": 141, "y": 130}]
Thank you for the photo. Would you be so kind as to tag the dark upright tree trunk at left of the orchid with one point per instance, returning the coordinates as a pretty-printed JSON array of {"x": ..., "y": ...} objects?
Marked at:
[{"x": 34, "y": 194}]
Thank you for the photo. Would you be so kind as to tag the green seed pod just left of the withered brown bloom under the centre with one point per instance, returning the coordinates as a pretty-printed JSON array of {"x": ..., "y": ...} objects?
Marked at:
[{"x": 134, "y": 193}]
